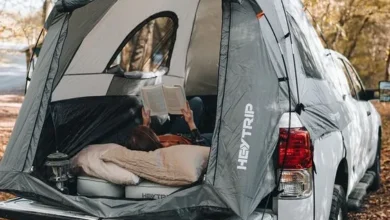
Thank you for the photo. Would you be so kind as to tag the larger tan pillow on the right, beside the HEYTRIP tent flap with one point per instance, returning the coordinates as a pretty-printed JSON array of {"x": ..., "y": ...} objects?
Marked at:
[{"x": 178, "y": 165}]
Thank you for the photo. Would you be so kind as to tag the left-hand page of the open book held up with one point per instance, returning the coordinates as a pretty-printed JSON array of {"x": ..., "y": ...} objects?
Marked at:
[{"x": 153, "y": 100}]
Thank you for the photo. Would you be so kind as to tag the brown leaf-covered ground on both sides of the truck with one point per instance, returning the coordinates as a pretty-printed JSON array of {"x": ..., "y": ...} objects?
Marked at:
[{"x": 376, "y": 206}]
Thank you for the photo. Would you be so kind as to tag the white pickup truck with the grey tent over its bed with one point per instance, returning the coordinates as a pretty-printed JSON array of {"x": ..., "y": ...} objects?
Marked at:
[{"x": 343, "y": 174}]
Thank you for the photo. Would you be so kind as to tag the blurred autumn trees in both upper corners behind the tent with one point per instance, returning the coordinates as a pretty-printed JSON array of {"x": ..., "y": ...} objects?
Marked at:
[{"x": 359, "y": 29}]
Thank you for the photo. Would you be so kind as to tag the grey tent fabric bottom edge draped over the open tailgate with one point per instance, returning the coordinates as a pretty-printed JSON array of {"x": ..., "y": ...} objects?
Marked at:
[{"x": 203, "y": 197}]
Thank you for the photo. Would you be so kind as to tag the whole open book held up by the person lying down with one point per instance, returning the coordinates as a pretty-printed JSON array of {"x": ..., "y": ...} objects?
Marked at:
[{"x": 161, "y": 99}]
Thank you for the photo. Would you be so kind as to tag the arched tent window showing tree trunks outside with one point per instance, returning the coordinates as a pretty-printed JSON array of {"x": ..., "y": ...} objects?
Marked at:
[{"x": 149, "y": 48}]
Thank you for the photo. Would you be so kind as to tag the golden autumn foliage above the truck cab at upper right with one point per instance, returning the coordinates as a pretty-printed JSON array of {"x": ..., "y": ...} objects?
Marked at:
[{"x": 360, "y": 30}]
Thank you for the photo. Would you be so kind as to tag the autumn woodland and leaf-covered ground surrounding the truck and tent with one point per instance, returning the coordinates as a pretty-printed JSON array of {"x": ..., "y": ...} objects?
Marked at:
[{"x": 359, "y": 29}]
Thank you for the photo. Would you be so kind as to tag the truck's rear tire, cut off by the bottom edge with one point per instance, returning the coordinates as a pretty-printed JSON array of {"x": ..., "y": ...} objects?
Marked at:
[{"x": 338, "y": 209}]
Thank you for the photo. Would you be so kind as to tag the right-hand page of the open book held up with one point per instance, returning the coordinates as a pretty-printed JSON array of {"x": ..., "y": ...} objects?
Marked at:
[{"x": 175, "y": 99}]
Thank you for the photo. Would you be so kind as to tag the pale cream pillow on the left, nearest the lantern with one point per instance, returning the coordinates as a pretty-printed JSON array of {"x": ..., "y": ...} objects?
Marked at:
[{"x": 88, "y": 162}]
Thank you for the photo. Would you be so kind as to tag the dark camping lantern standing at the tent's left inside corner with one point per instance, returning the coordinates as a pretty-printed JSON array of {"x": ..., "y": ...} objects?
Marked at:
[{"x": 58, "y": 164}]
